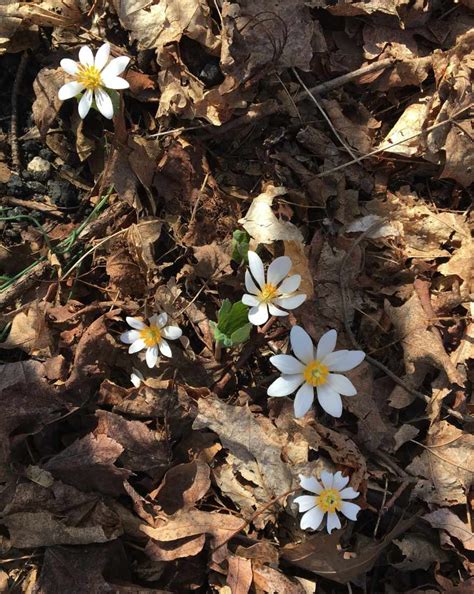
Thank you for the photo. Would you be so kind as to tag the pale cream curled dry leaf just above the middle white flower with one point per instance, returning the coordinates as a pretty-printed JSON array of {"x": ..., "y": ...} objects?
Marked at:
[{"x": 261, "y": 223}]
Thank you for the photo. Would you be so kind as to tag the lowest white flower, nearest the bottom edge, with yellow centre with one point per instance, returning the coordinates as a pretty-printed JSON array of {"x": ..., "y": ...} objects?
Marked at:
[{"x": 329, "y": 498}]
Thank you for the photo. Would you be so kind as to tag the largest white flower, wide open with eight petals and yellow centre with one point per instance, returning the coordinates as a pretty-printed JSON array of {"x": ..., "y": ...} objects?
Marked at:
[{"x": 312, "y": 368}]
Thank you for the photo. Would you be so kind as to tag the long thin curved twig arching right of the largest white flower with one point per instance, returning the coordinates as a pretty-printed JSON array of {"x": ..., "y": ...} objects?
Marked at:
[{"x": 355, "y": 344}]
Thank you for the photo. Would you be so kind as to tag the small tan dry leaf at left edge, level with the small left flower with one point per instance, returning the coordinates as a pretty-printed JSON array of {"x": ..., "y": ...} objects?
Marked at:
[{"x": 30, "y": 332}]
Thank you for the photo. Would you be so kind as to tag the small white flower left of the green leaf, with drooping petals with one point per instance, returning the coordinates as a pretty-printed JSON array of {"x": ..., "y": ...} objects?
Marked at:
[{"x": 150, "y": 337}]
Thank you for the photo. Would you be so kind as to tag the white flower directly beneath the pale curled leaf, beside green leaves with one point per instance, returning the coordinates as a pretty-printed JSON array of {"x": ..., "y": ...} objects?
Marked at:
[{"x": 265, "y": 294}]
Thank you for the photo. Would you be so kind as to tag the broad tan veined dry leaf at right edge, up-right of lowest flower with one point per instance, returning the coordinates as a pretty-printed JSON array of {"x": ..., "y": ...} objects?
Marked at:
[{"x": 445, "y": 466}]
